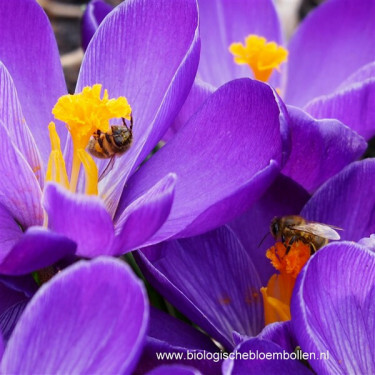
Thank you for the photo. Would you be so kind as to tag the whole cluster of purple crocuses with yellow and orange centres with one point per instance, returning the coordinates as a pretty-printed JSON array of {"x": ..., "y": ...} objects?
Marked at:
[{"x": 225, "y": 151}]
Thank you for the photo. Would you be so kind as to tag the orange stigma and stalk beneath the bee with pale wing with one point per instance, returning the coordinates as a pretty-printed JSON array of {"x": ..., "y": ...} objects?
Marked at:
[{"x": 278, "y": 292}]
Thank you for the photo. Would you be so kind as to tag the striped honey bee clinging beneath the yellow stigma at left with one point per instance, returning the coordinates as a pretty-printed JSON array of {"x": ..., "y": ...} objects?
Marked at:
[{"x": 115, "y": 142}]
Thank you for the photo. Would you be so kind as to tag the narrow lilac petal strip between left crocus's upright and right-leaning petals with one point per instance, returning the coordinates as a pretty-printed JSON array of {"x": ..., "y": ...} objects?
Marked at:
[{"x": 199, "y": 92}]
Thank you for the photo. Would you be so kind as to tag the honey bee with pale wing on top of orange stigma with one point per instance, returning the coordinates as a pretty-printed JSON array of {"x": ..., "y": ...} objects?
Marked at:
[{"x": 290, "y": 229}]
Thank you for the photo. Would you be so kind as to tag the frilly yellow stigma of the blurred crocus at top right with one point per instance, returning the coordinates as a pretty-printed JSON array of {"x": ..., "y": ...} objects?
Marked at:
[{"x": 262, "y": 57}]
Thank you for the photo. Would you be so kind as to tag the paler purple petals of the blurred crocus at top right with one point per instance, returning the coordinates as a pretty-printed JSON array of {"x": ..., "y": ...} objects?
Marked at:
[{"x": 329, "y": 74}]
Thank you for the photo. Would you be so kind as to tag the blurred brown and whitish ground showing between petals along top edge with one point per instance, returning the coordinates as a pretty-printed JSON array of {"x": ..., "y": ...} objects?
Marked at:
[{"x": 65, "y": 16}]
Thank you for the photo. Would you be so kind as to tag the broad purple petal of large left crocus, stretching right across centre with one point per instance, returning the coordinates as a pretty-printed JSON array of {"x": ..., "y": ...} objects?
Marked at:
[{"x": 223, "y": 149}]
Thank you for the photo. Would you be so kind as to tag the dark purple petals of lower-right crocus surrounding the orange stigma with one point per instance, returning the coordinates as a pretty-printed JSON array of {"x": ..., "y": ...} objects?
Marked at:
[{"x": 214, "y": 278}]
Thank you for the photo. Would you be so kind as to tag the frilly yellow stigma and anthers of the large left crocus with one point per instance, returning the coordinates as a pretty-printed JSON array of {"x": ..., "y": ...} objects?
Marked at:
[{"x": 85, "y": 114}]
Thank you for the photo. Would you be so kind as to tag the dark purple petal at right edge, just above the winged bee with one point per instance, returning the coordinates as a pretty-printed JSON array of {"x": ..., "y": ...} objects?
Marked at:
[{"x": 347, "y": 200}]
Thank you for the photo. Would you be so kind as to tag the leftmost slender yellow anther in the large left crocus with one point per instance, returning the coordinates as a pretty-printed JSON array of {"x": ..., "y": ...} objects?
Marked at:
[{"x": 56, "y": 170}]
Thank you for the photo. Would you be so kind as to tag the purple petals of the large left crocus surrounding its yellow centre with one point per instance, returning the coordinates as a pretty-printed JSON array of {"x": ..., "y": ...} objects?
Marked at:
[{"x": 152, "y": 61}]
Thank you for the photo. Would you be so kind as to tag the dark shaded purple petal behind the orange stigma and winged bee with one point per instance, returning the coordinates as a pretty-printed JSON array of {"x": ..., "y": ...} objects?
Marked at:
[{"x": 284, "y": 197}]
